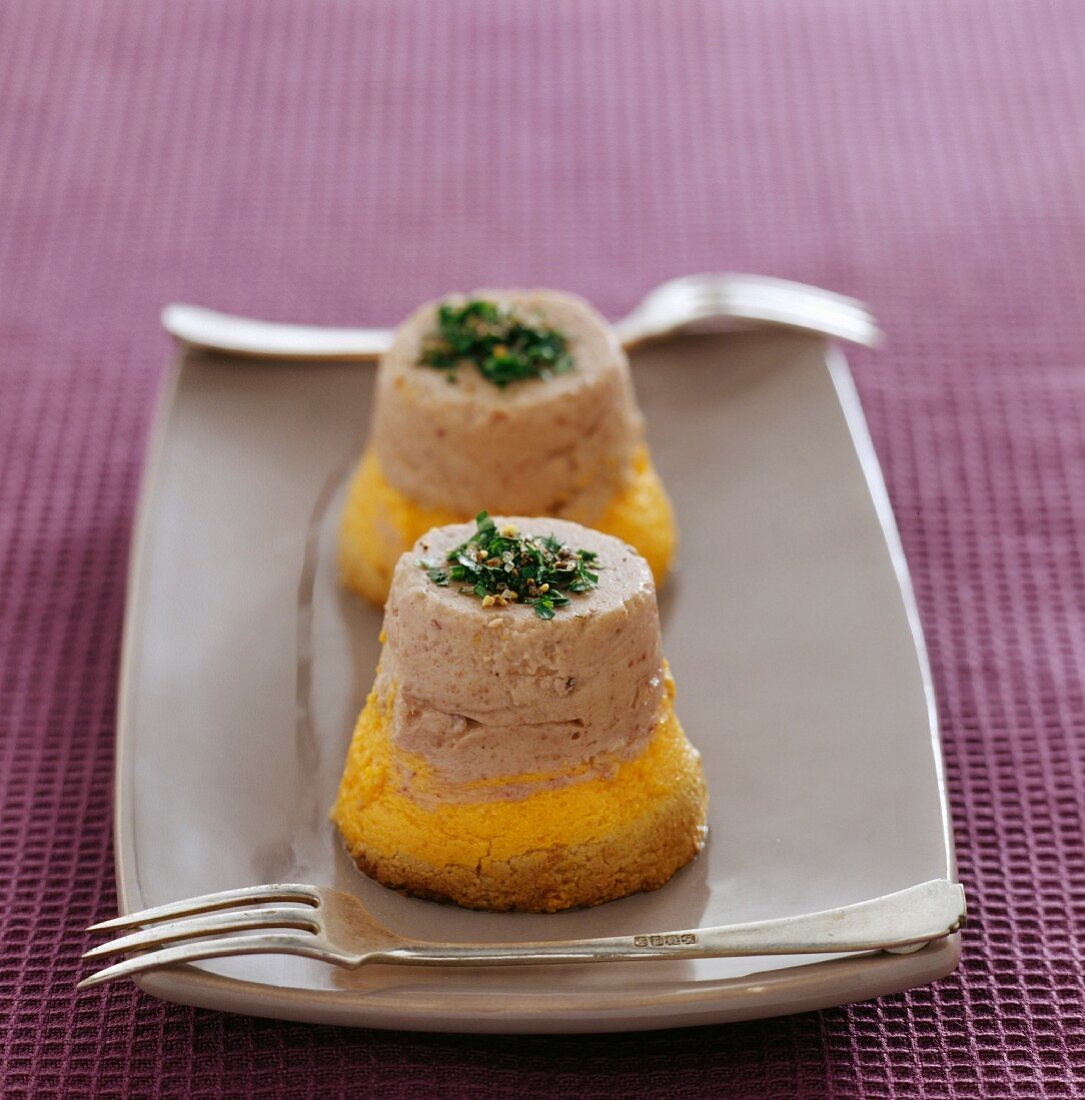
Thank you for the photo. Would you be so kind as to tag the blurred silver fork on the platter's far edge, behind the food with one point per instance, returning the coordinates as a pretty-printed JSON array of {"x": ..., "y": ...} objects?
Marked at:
[{"x": 692, "y": 302}]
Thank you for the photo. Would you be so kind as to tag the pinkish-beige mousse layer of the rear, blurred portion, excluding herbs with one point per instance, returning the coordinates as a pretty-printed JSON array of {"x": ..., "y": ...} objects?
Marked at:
[{"x": 562, "y": 446}]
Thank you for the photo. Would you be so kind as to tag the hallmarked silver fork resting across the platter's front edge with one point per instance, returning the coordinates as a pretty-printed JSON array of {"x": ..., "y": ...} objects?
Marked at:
[{"x": 335, "y": 928}]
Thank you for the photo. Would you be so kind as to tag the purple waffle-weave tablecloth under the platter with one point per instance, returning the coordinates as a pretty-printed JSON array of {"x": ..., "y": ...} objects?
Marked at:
[{"x": 339, "y": 161}]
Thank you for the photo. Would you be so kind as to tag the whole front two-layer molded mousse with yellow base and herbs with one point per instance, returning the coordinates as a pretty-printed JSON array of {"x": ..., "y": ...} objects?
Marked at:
[{"x": 520, "y": 750}]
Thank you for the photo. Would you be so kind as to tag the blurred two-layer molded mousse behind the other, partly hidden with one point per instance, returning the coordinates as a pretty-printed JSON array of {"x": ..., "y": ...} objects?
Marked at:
[{"x": 519, "y": 402}]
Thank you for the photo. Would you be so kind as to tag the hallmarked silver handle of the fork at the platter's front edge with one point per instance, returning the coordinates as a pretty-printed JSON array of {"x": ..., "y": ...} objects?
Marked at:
[{"x": 898, "y": 922}]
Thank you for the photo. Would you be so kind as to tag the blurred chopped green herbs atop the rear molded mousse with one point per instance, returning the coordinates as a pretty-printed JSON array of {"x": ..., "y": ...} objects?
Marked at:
[{"x": 502, "y": 344}]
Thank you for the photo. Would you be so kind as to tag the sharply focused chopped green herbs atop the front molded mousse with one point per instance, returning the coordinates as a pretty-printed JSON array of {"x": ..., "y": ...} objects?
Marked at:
[{"x": 501, "y": 566}]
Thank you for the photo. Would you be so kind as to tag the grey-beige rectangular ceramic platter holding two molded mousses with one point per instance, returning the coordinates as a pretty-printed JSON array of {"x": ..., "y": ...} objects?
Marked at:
[{"x": 790, "y": 625}]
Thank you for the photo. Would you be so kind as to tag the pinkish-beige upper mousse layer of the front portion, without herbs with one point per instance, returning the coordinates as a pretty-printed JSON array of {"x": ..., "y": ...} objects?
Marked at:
[{"x": 484, "y": 694}]
